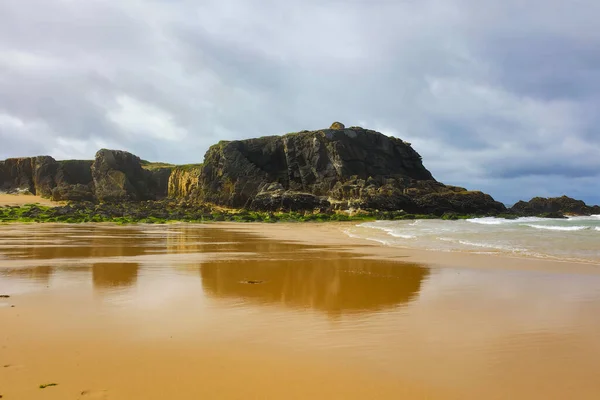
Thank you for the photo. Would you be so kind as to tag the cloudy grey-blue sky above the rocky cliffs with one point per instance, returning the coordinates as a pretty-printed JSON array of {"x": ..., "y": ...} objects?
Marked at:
[{"x": 496, "y": 95}]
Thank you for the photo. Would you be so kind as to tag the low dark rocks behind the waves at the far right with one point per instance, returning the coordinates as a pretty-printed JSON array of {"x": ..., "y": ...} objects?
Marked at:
[{"x": 553, "y": 205}]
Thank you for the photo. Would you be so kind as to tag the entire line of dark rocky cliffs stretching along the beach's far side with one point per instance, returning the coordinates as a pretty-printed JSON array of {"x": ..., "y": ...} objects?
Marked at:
[{"x": 328, "y": 171}]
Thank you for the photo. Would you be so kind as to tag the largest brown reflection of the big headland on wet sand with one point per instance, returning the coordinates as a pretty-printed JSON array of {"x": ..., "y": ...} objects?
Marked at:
[{"x": 336, "y": 285}]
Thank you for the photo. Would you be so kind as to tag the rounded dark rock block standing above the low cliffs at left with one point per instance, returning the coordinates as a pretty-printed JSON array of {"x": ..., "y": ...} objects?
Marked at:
[{"x": 119, "y": 176}]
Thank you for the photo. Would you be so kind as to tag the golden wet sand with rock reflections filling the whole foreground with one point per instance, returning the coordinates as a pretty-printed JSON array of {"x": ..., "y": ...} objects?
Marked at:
[{"x": 149, "y": 312}]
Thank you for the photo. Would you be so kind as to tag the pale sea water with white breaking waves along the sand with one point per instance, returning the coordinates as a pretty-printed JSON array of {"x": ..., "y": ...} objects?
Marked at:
[{"x": 570, "y": 239}]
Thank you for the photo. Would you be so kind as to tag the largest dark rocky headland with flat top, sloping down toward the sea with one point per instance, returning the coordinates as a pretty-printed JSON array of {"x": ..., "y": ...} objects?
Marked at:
[{"x": 333, "y": 168}]
